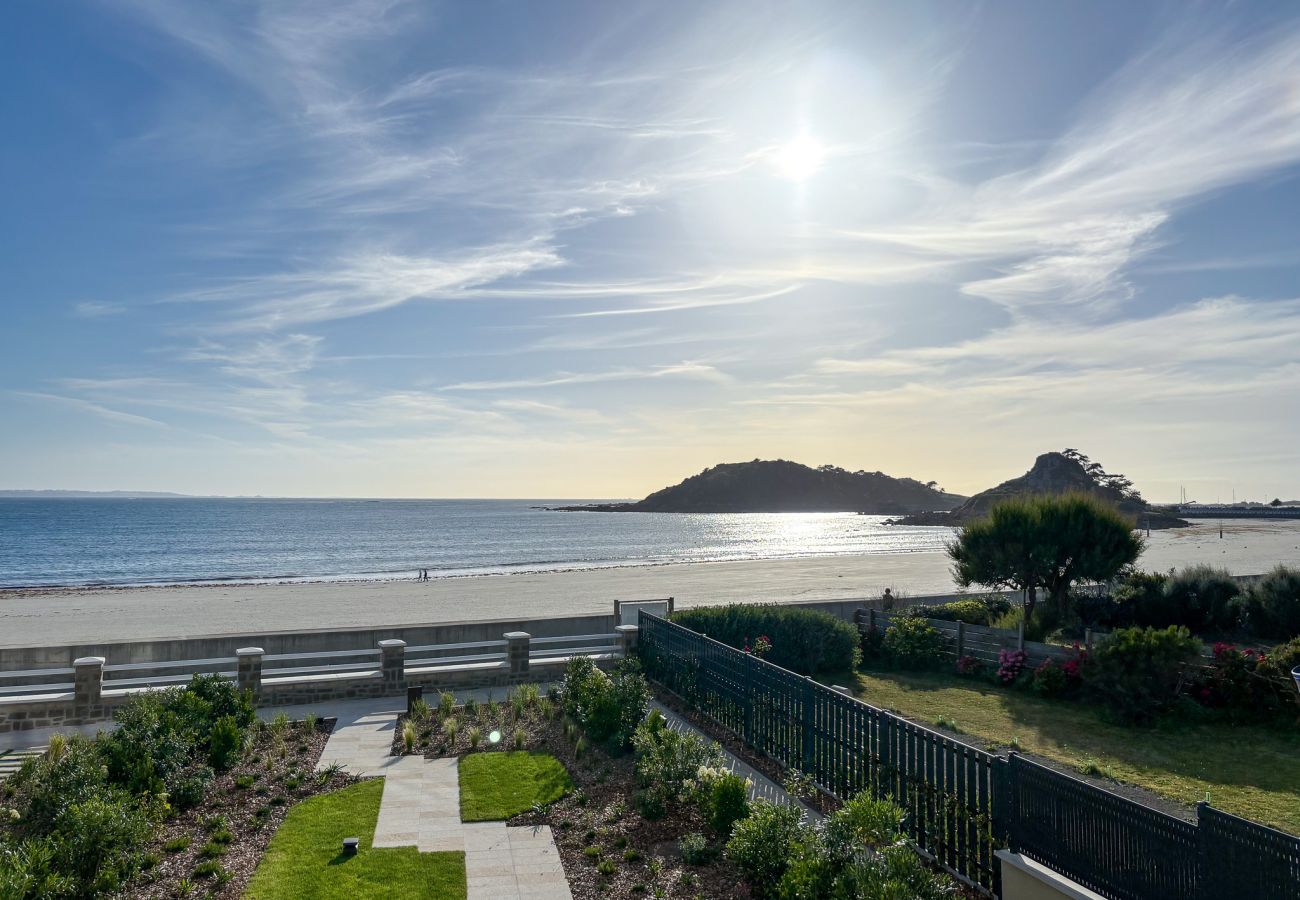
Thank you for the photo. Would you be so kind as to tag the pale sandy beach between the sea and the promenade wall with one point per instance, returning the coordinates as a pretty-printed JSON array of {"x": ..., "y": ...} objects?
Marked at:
[{"x": 32, "y": 618}]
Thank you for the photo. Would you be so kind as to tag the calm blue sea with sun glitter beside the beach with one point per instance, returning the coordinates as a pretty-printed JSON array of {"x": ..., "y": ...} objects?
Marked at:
[{"x": 166, "y": 542}]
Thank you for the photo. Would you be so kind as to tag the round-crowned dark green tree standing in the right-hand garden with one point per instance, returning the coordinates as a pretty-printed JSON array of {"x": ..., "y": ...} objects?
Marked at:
[{"x": 1045, "y": 542}]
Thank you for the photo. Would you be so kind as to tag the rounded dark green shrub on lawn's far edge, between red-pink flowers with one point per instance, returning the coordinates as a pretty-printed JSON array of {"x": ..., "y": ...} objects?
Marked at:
[{"x": 1139, "y": 673}]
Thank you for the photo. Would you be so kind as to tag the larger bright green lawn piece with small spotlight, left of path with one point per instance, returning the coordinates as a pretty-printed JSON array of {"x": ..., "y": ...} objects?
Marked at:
[{"x": 305, "y": 859}]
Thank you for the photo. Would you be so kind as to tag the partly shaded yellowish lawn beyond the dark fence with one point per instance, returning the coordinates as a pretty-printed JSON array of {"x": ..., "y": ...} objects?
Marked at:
[{"x": 1250, "y": 771}]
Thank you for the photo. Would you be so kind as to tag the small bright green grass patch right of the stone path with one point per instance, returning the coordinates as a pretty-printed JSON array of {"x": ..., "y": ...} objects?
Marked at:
[{"x": 496, "y": 786}]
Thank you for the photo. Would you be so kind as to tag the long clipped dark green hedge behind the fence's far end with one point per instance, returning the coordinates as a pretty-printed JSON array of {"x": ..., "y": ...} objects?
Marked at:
[{"x": 805, "y": 642}]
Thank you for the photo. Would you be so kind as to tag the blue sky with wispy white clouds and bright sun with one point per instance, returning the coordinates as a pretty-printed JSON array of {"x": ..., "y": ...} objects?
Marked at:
[{"x": 584, "y": 250}]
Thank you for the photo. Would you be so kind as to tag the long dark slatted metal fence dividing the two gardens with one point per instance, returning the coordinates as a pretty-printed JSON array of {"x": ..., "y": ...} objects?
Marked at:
[{"x": 963, "y": 803}]
